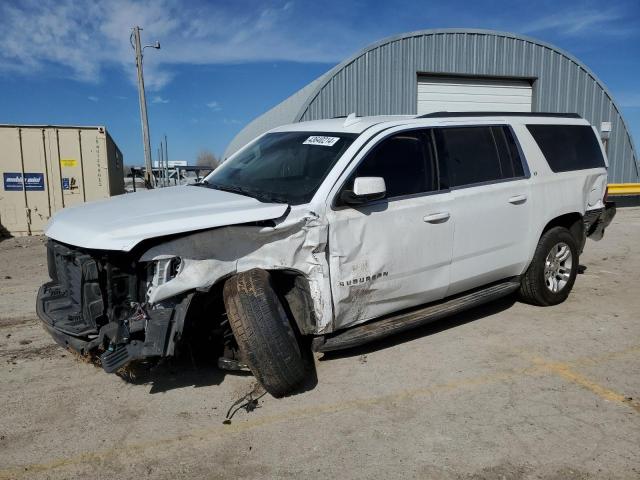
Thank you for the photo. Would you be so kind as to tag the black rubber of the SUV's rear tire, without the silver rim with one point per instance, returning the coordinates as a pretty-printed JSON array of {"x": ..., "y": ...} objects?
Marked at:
[{"x": 533, "y": 286}]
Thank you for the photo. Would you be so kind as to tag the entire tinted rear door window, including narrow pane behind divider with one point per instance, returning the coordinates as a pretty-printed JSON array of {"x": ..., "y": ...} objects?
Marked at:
[{"x": 470, "y": 155}]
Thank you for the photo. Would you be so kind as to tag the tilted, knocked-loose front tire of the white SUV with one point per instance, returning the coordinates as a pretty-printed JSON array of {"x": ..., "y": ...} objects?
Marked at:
[{"x": 263, "y": 332}]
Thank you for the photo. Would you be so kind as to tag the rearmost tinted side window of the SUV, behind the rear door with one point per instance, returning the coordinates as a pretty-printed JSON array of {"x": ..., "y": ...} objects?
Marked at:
[{"x": 568, "y": 147}]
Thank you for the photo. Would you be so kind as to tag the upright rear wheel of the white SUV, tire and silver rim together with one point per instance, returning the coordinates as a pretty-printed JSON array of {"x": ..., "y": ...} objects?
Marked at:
[{"x": 552, "y": 273}]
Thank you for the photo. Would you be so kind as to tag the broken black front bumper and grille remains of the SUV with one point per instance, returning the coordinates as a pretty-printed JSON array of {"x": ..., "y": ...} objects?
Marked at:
[{"x": 76, "y": 309}]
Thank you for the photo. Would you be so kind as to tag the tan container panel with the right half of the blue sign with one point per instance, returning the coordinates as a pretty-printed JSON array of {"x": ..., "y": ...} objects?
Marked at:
[{"x": 35, "y": 168}]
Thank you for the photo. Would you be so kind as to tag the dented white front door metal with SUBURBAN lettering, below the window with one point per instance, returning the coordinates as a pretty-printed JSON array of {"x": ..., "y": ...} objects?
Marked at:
[{"x": 384, "y": 257}]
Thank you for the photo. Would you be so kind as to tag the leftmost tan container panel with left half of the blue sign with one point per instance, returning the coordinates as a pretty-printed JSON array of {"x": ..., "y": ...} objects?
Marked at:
[{"x": 13, "y": 206}]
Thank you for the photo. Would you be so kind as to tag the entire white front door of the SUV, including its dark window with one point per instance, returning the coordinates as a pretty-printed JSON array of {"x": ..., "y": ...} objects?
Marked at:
[{"x": 393, "y": 253}]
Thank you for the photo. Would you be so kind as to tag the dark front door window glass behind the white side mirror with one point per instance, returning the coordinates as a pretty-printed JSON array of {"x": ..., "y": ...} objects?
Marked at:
[{"x": 405, "y": 161}]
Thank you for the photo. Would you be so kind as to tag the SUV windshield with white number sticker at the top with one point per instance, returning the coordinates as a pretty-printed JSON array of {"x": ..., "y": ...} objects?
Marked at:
[{"x": 285, "y": 167}]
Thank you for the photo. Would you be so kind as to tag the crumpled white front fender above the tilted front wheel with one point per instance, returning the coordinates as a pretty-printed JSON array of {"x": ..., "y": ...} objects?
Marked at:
[{"x": 297, "y": 243}]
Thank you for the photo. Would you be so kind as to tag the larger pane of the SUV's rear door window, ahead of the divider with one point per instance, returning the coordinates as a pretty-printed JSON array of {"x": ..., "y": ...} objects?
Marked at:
[{"x": 468, "y": 154}]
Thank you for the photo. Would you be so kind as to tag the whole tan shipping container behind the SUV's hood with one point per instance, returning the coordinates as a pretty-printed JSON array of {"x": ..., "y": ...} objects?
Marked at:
[{"x": 47, "y": 168}]
